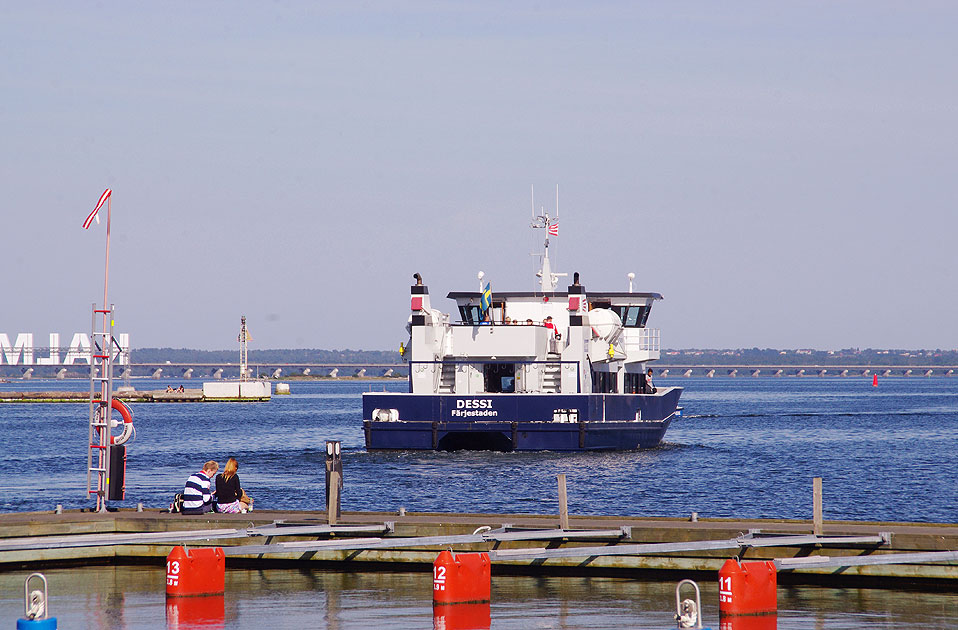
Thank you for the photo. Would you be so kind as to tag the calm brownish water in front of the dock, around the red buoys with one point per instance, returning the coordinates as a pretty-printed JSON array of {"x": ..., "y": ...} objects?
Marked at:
[{"x": 133, "y": 598}]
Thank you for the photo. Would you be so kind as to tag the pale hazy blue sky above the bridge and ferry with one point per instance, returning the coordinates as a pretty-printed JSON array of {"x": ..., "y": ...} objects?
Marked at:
[{"x": 781, "y": 172}]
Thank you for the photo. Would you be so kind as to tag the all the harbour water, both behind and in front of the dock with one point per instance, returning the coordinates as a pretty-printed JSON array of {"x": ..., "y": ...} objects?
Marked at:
[{"x": 744, "y": 448}]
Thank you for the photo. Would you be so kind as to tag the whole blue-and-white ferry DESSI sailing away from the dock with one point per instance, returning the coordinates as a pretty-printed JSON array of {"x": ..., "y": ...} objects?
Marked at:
[{"x": 526, "y": 371}]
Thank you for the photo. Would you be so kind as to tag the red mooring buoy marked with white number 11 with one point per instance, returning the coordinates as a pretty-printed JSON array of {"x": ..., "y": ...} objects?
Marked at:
[{"x": 747, "y": 588}]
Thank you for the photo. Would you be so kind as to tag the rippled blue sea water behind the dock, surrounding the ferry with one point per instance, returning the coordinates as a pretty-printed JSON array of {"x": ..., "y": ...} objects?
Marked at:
[{"x": 745, "y": 448}]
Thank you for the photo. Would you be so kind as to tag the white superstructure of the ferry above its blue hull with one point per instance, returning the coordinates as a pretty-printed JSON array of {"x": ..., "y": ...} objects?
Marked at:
[{"x": 543, "y": 341}]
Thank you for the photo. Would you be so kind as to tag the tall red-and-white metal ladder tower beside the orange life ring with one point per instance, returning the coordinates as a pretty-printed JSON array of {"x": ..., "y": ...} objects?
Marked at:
[{"x": 101, "y": 403}]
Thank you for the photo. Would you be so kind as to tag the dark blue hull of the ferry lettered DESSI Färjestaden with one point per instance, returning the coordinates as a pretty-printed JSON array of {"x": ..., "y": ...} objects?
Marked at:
[{"x": 519, "y": 422}]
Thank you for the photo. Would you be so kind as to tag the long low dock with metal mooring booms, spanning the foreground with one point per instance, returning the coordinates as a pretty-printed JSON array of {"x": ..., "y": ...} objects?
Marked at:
[{"x": 885, "y": 555}]
